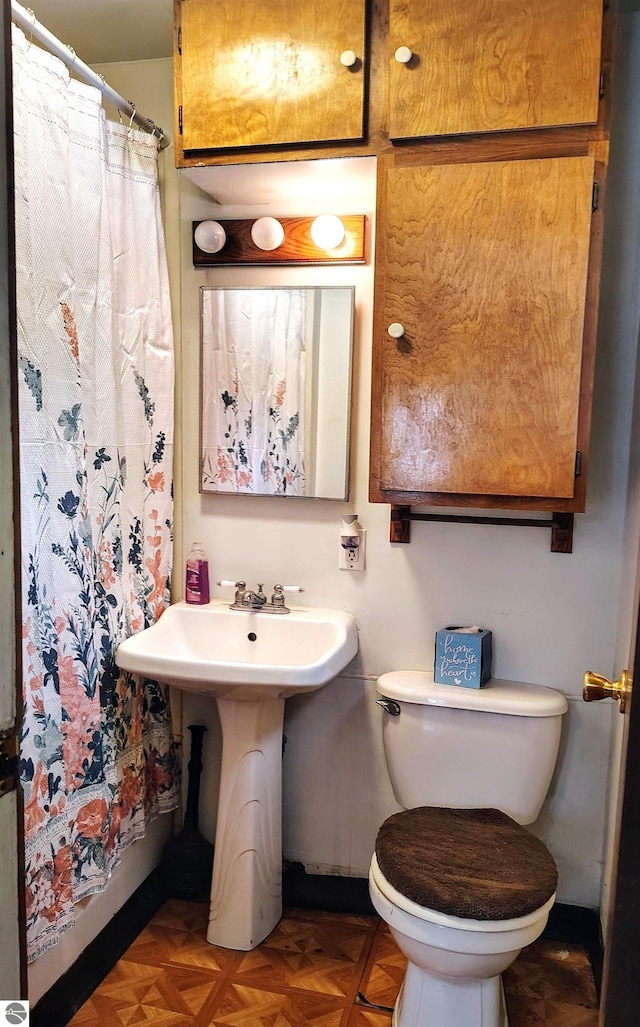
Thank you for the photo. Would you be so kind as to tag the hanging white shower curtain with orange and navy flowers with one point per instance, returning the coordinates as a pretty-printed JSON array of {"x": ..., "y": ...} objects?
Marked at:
[{"x": 96, "y": 439}]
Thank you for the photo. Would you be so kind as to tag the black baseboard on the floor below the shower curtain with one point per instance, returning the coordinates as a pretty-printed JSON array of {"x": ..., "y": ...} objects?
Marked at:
[{"x": 64, "y": 1000}]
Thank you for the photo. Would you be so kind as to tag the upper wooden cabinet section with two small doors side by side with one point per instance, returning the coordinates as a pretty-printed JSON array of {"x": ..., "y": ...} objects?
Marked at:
[{"x": 351, "y": 77}]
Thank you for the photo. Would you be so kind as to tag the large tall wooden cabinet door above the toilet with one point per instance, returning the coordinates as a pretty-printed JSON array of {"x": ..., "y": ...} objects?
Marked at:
[{"x": 485, "y": 268}]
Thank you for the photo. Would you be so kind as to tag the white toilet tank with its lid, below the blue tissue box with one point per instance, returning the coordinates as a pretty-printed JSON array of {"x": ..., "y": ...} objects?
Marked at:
[{"x": 469, "y": 748}]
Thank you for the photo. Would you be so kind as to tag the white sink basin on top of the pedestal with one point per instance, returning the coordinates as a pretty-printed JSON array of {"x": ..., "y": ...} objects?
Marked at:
[{"x": 243, "y": 656}]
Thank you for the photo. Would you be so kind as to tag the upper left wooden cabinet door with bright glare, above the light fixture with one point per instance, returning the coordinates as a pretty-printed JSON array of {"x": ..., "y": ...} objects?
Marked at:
[{"x": 269, "y": 72}]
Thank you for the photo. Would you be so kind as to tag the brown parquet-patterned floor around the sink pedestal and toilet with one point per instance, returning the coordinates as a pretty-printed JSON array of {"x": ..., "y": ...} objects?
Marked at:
[{"x": 316, "y": 970}]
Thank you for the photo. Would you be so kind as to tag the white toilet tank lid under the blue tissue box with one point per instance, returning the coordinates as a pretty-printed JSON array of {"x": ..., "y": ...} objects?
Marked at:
[{"x": 518, "y": 699}]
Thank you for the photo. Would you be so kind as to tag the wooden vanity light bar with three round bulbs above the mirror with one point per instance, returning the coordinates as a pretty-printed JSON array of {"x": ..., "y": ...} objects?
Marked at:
[{"x": 323, "y": 240}]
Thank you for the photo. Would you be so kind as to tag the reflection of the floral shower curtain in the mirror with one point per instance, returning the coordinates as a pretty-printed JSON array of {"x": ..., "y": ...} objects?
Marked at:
[{"x": 253, "y": 420}]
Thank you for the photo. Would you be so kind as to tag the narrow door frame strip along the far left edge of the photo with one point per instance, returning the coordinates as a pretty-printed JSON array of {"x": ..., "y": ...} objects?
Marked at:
[{"x": 12, "y": 965}]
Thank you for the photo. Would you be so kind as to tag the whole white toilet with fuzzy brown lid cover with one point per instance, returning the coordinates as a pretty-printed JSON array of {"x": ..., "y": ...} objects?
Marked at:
[{"x": 462, "y": 884}]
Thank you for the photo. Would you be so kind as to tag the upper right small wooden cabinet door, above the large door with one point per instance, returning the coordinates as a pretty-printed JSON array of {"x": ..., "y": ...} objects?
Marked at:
[{"x": 482, "y": 66}]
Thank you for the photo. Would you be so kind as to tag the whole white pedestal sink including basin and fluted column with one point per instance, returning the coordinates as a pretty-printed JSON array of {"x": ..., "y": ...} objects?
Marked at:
[{"x": 250, "y": 663}]
